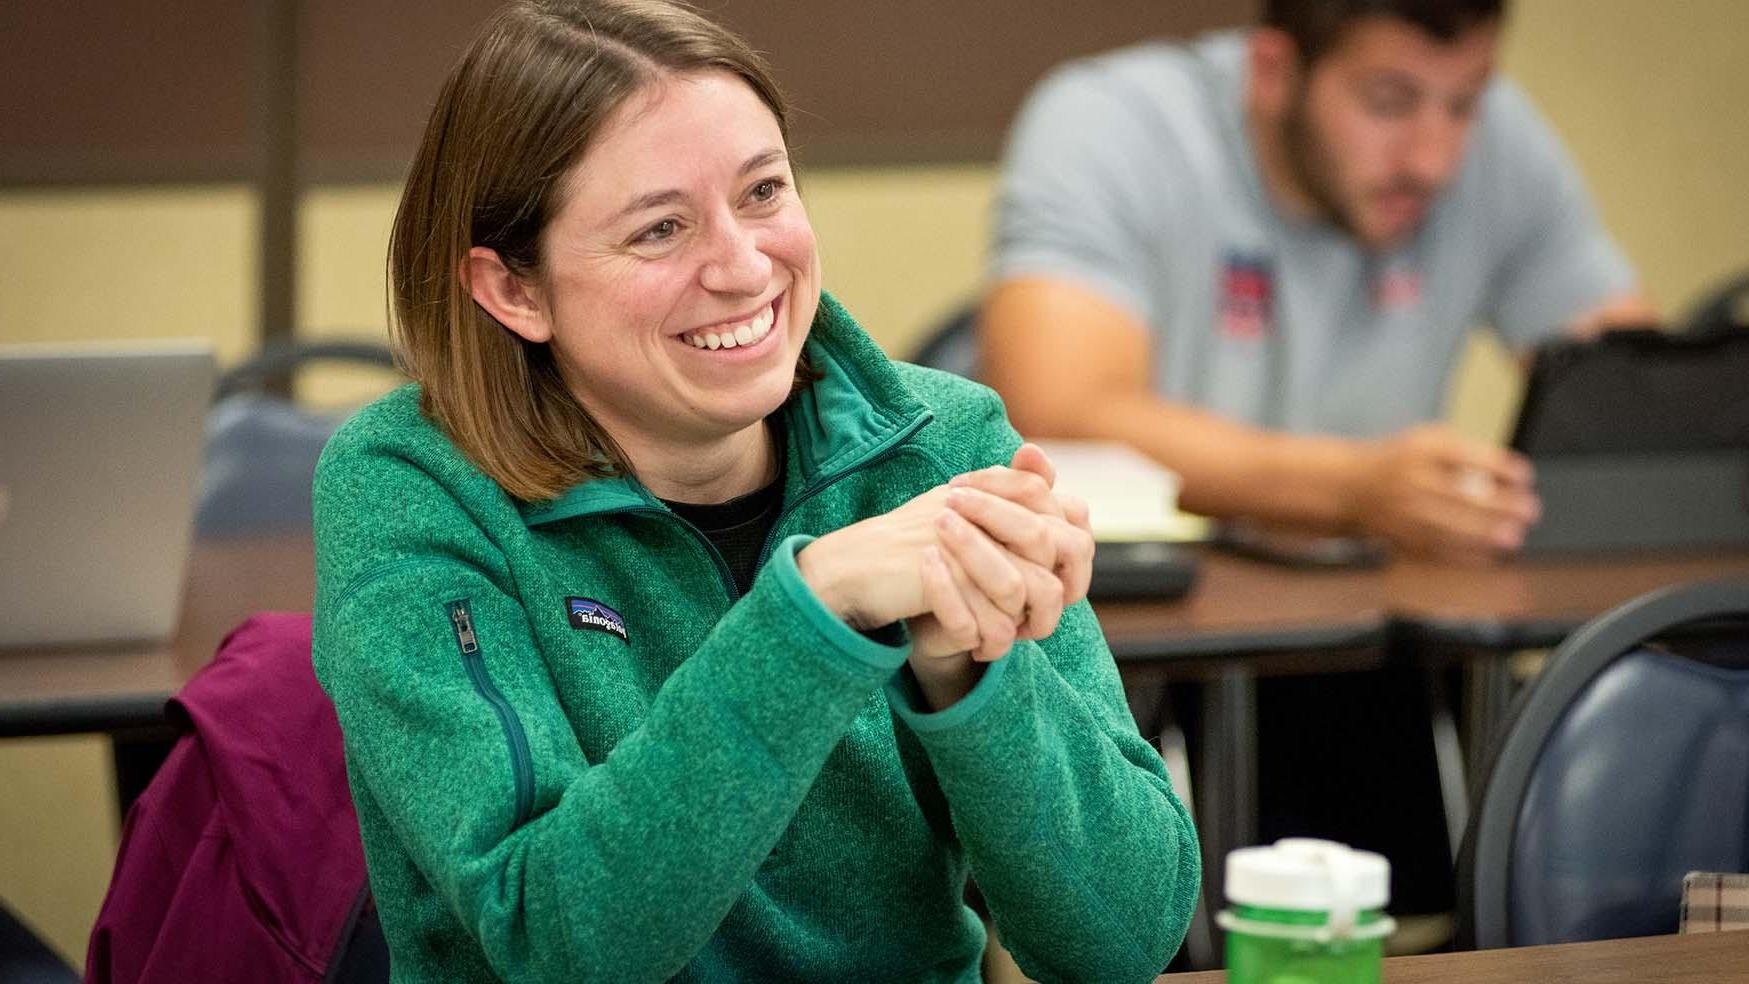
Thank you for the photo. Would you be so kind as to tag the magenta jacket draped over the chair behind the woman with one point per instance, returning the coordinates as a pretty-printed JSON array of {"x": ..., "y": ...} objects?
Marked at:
[{"x": 242, "y": 859}]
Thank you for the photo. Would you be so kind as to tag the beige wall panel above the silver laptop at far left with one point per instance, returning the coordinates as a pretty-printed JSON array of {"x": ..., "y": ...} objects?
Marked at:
[{"x": 130, "y": 265}]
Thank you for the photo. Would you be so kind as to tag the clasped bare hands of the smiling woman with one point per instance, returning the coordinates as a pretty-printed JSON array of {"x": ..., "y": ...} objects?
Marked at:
[{"x": 975, "y": 565}]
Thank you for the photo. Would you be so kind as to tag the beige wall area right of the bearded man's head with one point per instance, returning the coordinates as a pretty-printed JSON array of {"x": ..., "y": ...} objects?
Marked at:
[{"x": 1650, "y": 100}]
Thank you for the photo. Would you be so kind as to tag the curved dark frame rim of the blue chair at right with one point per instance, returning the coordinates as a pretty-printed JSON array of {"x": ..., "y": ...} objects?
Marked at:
[{"x": 1571, "y": 670}]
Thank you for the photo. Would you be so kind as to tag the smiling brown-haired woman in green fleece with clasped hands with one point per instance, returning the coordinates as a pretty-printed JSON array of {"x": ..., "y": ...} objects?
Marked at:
[{"x": 676, "y": 632}]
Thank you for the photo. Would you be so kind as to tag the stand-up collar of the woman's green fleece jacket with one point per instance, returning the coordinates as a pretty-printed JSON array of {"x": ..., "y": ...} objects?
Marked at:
[{"x": 853, "y": 413}]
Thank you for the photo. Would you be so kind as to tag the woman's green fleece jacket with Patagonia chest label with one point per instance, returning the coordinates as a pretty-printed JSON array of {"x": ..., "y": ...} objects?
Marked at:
[{"x": 578, "y": 756}]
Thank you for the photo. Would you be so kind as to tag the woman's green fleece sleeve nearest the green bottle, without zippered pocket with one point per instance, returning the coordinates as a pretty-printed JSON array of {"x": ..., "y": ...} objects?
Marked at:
[{"x": 1066, "y": 814}]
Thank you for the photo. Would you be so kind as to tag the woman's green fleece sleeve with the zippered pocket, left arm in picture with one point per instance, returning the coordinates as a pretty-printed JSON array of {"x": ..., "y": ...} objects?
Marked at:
[{"x": 620, "y": 870}]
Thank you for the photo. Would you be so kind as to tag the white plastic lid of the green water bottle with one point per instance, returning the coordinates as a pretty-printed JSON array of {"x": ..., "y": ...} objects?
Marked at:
[{"x": 1307, "y": 875}]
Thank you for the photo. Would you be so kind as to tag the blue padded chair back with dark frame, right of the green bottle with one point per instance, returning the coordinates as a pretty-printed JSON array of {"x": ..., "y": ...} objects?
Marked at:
[{"x": 1626, "y": 766}]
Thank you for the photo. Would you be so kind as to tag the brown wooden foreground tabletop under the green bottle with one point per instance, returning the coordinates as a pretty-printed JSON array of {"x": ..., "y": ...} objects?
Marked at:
[{"x": 1701, "y": 959}]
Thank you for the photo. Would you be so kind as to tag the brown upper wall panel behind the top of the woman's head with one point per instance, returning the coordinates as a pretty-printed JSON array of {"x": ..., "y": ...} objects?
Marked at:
[{"x": 872, "y": 83}]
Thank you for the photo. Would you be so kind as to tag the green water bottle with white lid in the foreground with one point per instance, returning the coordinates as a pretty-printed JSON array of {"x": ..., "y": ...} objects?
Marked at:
[{"x": 1306, "y": 911}]
